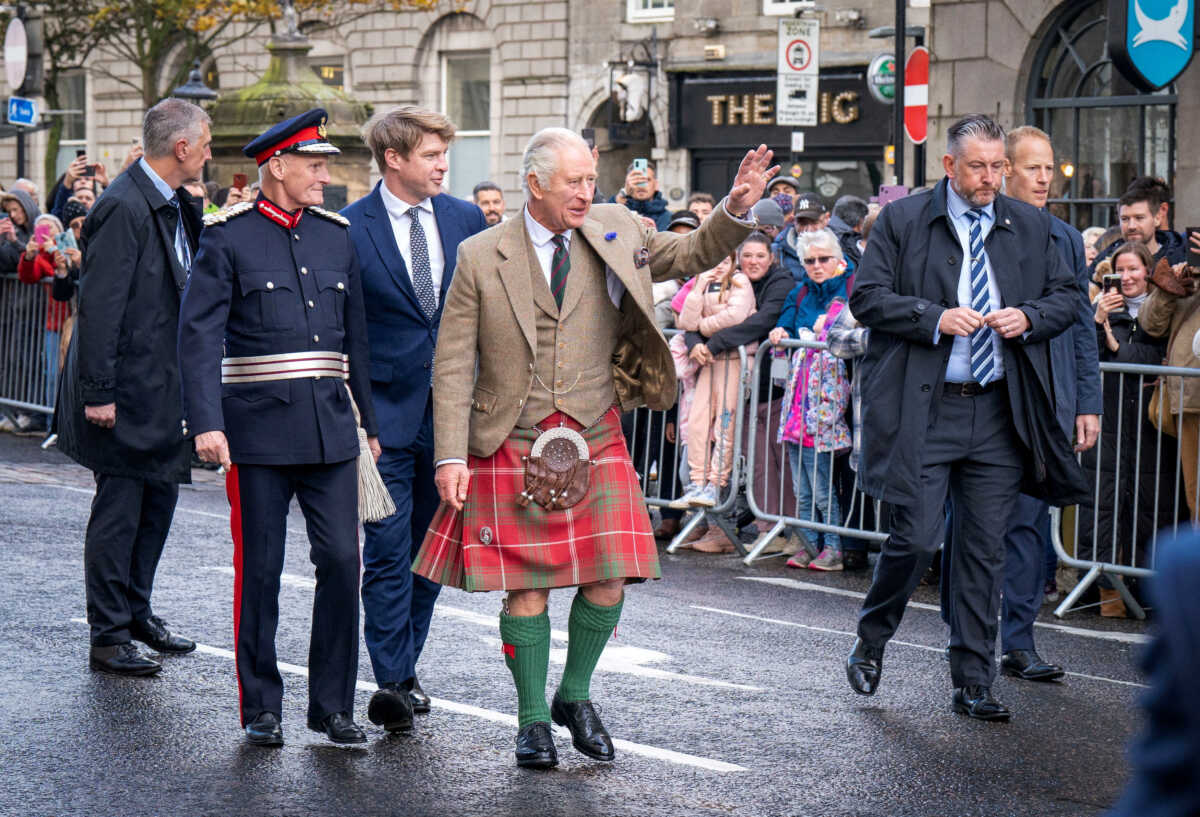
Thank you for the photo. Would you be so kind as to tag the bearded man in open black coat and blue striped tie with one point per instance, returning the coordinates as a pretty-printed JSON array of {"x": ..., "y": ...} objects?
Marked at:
[{"x": 962, "y": 289}]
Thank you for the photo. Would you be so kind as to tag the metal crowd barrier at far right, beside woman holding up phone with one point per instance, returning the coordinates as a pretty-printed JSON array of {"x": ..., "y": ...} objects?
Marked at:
[{"x": 1117, "y": 533}]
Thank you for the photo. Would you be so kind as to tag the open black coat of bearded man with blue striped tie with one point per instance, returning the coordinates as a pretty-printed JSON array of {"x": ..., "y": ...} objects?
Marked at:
[{"x": 909, "y": 278}]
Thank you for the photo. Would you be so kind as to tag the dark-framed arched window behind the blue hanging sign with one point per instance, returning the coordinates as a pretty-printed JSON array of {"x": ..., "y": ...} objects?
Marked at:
[{"x": 1105, "y": 131}]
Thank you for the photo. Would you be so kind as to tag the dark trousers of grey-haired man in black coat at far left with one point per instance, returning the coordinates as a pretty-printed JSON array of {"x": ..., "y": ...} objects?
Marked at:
[{"x": 128, "y": 528}]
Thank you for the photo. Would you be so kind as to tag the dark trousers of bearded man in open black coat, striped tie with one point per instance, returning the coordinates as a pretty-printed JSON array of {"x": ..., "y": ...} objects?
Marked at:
[{"x": 974, "y": 456}]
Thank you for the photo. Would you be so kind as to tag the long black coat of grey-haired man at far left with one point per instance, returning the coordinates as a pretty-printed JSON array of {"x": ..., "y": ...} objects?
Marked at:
[{"x": 123, "y": 350}]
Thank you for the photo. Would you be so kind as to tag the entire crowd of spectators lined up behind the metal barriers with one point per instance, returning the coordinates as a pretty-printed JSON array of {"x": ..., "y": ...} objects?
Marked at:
[{"x": 791, "y": 280}]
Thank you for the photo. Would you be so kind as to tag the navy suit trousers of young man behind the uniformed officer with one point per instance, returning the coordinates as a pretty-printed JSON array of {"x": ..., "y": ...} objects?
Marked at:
[{"x": 398, "y": 604}]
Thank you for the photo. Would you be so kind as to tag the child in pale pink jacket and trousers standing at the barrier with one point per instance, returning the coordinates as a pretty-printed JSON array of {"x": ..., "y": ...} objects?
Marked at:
[{"x": 718, "y": 299}]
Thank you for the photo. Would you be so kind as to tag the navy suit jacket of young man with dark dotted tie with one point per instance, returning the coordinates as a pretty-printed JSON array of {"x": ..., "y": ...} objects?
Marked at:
[{"x": 403, "y": 339}]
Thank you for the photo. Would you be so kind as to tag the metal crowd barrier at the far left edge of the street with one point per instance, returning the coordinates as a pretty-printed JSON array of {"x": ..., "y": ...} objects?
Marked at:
[{"x": 25, "y": 385}]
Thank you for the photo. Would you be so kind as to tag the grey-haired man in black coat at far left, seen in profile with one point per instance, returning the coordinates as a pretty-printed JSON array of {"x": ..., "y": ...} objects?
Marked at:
[{"x": 121, "y": 410}]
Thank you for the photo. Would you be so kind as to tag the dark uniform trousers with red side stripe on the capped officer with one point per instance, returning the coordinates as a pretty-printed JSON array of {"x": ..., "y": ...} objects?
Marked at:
[{"x": 329, "y": 500}]
